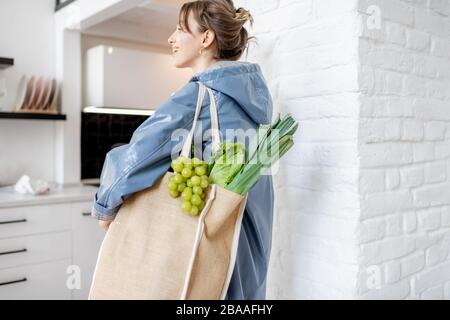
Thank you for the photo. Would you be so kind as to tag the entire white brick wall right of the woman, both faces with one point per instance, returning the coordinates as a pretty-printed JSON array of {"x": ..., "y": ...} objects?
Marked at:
[{"x": 363, "y": 199}]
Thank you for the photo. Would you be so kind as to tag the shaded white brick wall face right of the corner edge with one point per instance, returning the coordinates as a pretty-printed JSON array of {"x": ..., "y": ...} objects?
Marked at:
[{"x": 403, "y": 136}]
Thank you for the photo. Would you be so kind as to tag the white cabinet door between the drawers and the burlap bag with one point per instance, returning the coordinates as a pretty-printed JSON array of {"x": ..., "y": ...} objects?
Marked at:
[{"x": 87, "y": 238}]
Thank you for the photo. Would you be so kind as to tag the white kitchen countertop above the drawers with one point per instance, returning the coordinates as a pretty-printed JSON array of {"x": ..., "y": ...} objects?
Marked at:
[{"x": 57, "y": 194}]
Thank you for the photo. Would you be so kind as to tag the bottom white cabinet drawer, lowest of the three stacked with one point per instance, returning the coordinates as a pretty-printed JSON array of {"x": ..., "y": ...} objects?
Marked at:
[{"x": 40, "y": 281}]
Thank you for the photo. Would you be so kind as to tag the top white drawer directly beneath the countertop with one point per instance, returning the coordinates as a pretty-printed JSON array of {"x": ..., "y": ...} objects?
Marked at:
[{"x": 20, "y": 221}]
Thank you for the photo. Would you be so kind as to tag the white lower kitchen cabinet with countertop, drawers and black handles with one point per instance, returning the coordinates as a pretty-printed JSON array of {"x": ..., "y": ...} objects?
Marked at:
[{"x": 48, "y": 250}]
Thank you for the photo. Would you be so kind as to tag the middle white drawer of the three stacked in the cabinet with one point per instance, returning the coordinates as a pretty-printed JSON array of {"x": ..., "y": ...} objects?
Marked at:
[{"x": 34, "y": 249}]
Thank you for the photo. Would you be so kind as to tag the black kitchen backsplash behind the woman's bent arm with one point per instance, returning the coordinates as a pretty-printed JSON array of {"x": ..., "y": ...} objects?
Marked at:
[{"x": 99, "y": 134}]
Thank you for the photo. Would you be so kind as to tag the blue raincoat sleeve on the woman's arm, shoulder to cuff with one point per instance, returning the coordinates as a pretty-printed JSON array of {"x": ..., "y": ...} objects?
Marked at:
[{"x": 140, "y": 163}]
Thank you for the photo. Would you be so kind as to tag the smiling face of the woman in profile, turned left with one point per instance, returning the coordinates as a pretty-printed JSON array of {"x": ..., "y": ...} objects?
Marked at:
[{"x": 185, "y": 45}]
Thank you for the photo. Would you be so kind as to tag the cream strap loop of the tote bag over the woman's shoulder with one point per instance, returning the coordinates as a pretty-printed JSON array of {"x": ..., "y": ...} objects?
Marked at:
[{"x": 215, "y": 135}]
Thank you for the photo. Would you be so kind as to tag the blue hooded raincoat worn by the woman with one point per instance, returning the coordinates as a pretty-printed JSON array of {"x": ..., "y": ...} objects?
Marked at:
[{"x": 243, "y": 102}]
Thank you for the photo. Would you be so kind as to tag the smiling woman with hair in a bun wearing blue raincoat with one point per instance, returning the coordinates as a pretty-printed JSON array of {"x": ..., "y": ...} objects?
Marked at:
[{"x": 209, "y": 39}]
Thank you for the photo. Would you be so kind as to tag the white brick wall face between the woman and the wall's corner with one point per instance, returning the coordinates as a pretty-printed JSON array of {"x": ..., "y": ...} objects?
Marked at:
[{"x": 309, "y": 54}]
